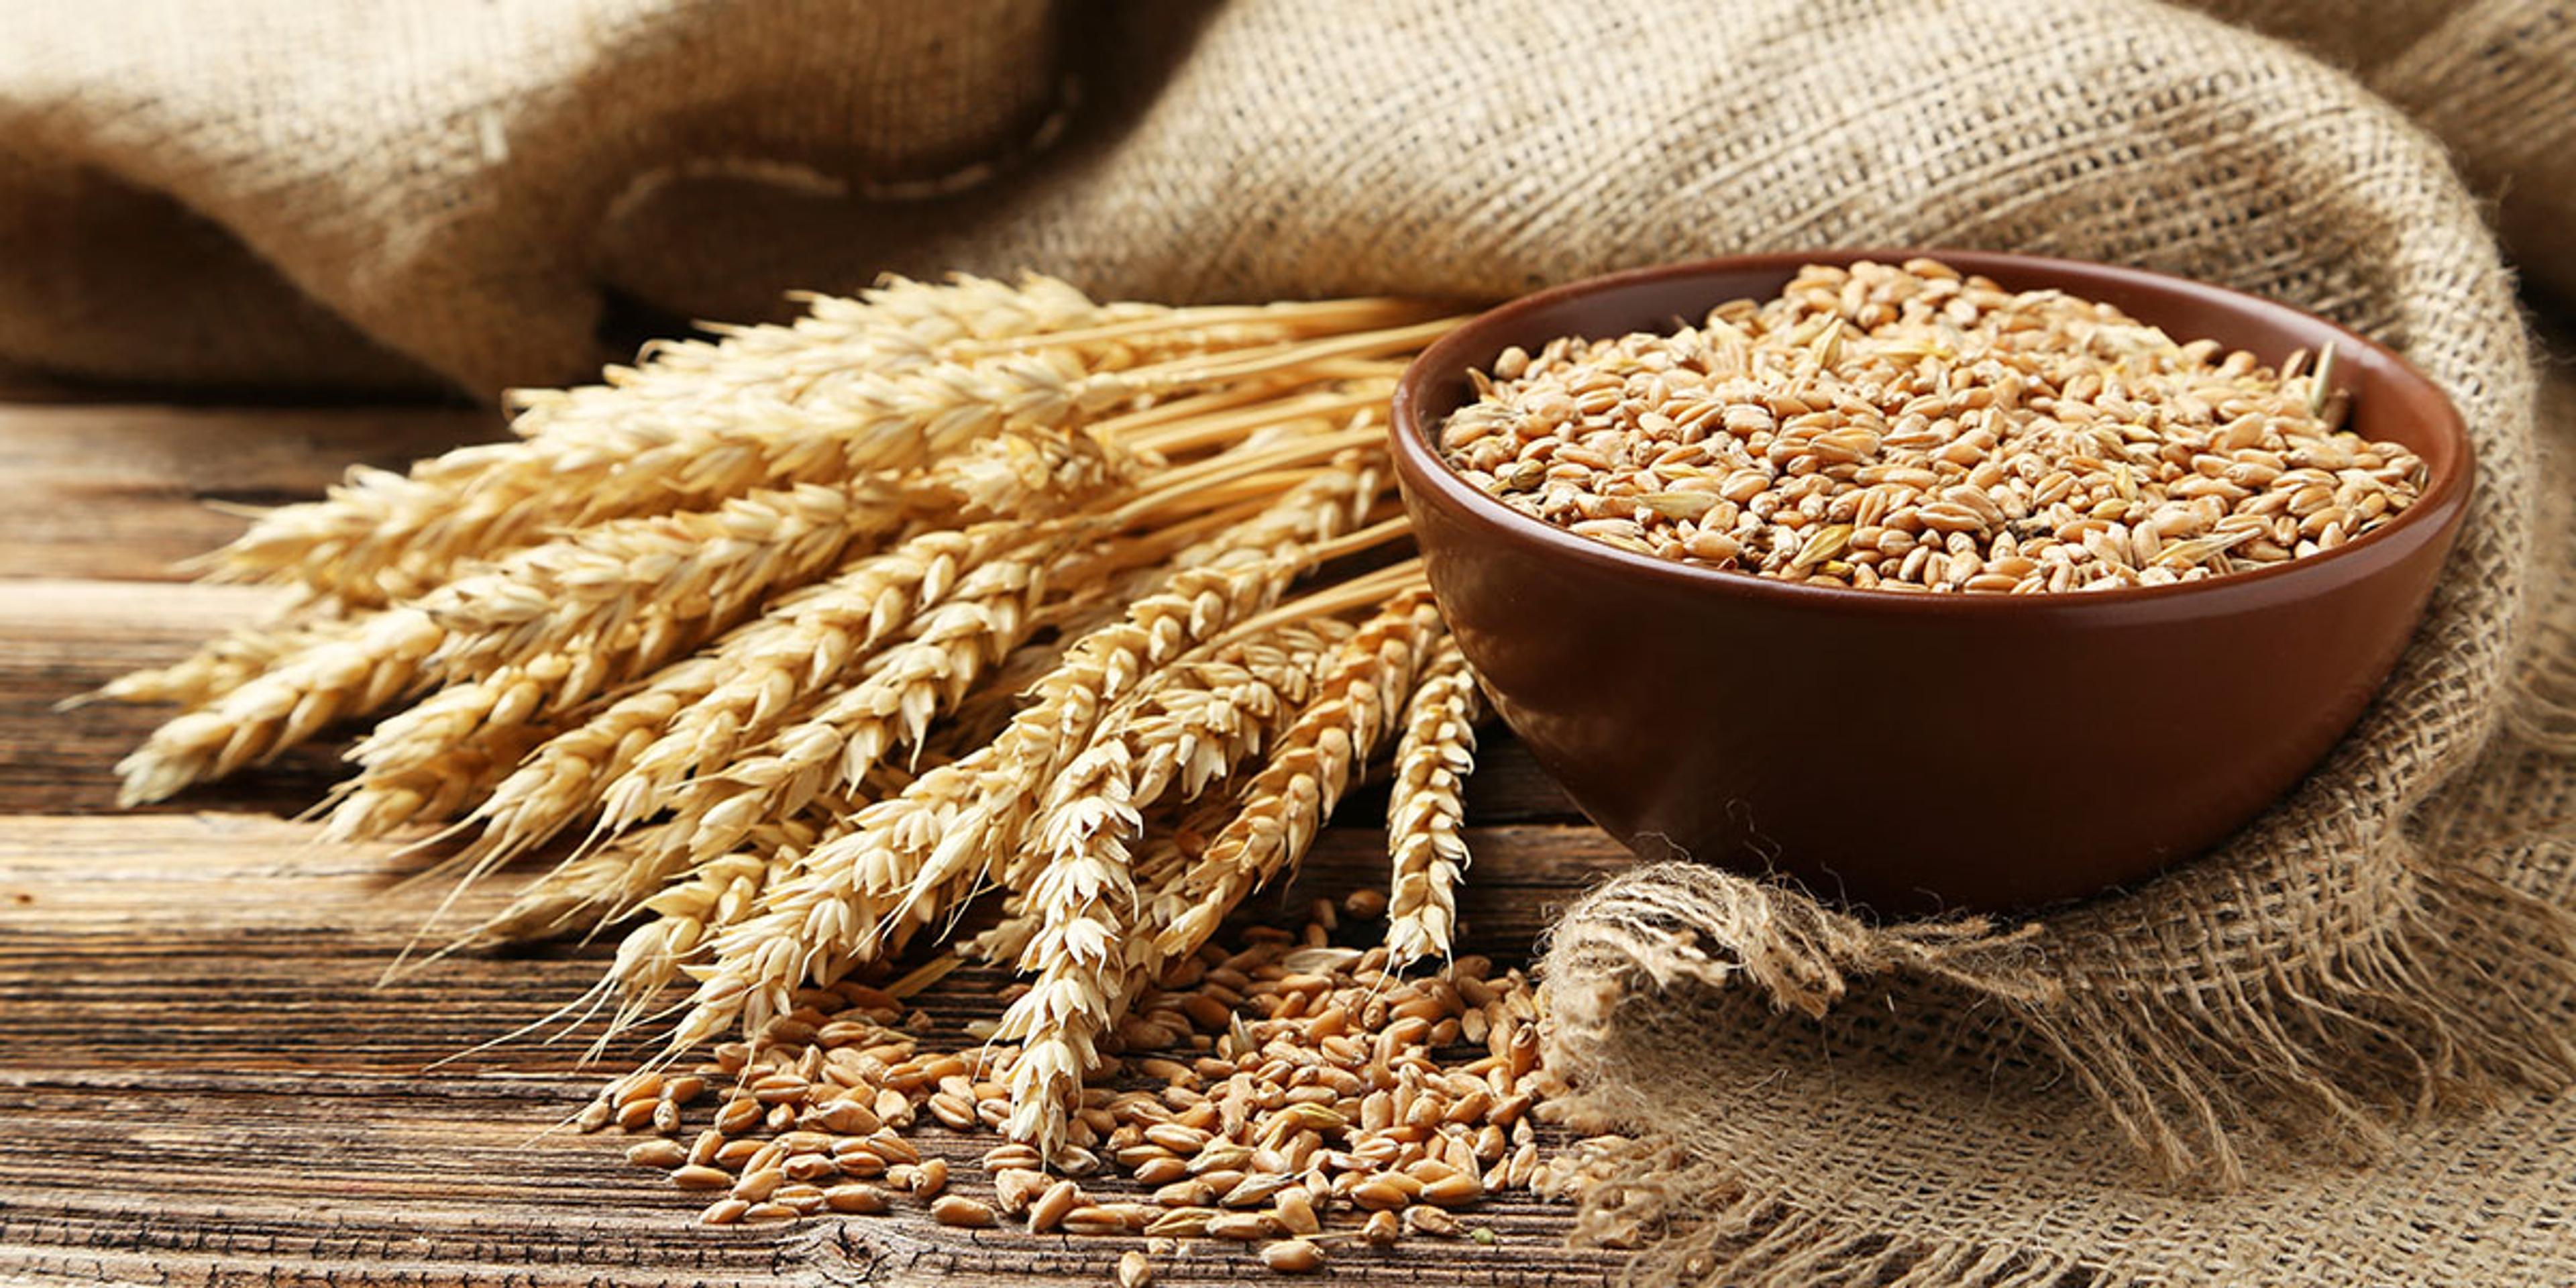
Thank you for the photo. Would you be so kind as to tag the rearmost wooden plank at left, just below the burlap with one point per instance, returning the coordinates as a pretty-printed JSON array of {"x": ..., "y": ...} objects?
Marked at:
[{"x": 112, "y": 491}]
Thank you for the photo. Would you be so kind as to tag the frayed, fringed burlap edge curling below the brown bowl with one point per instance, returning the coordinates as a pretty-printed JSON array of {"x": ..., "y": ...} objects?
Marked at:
[{"x": 2338, "y": 1047}]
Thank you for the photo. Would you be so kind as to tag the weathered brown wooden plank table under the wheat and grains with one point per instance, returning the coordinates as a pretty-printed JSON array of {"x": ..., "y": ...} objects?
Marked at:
[{"x": 200, "y": 1078}]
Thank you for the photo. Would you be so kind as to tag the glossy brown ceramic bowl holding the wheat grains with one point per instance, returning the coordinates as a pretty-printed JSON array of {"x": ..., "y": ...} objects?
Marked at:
[{"x": 1923, "y": 751}]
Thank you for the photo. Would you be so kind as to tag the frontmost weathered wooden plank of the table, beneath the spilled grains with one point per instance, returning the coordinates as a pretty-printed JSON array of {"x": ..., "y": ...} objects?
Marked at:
[{"x": 207, "y": 1083}]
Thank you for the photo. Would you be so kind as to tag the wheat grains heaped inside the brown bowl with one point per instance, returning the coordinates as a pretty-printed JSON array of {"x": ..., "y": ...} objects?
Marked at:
[{"x": 1918, "y": 429}]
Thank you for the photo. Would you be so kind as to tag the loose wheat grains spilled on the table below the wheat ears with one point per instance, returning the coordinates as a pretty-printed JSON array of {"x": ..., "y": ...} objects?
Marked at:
[{"x": 1289, "y": 1094}]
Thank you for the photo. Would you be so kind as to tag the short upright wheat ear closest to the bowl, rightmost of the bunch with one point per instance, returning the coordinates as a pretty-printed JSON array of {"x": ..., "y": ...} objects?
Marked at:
[{"x": 1426, "y": 810}]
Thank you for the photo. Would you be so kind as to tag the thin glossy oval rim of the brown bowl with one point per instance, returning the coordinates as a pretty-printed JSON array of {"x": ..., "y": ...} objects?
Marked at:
[{"x": 2436, "y": 509}]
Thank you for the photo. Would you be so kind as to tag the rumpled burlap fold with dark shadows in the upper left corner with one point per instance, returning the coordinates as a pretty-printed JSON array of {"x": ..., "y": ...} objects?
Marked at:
[{"x": 416, "y": 194}]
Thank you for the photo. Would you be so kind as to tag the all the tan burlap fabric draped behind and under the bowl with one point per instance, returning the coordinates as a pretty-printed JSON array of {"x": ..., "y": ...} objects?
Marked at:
[{"x": 2330, "y": 1055}]
